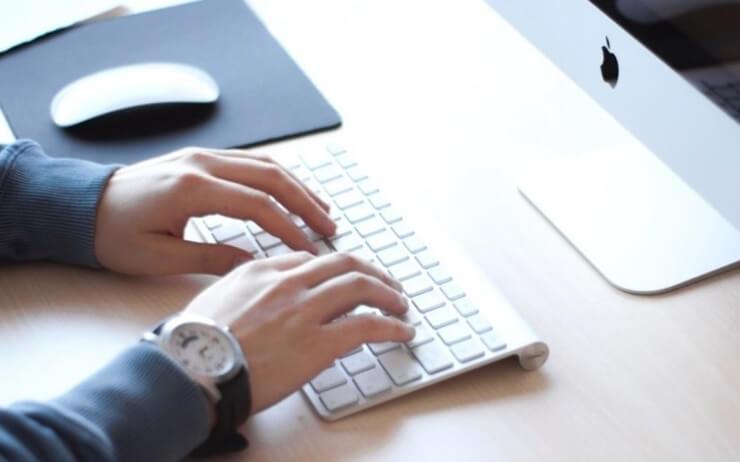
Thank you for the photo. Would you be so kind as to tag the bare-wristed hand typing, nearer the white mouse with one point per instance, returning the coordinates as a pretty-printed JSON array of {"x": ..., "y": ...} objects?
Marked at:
[{"x": 145, "y": 207}]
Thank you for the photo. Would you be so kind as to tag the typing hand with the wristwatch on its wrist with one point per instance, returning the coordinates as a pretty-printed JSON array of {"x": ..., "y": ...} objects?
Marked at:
[{"x": 286, "y": 313}]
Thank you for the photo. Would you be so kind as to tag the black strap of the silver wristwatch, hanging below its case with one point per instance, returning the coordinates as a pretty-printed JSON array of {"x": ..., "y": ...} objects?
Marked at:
[{"x": 231, "y": 411}]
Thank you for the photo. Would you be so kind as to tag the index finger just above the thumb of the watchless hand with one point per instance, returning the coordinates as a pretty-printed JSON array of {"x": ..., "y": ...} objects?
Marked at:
[{"x": 237, "y": 201}]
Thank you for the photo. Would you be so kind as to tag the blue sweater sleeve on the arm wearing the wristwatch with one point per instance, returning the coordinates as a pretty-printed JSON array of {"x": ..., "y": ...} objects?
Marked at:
[{"x": 140, "y": 407}]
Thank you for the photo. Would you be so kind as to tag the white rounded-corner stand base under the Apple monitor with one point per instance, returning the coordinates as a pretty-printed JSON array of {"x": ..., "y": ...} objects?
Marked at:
[{"x": 632, "y": 218}]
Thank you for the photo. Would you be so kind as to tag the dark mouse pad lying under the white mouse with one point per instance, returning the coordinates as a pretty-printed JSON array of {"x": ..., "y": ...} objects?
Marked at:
[{"x": 264, "y": 95}]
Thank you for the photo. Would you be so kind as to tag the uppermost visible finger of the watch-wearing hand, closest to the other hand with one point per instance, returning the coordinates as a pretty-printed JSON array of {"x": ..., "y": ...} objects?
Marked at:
[{"x": 330, "y": 266}]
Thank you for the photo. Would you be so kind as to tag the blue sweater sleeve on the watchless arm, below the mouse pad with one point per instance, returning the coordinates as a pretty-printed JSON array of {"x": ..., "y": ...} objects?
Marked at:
[{"x": 48, "y": 205}]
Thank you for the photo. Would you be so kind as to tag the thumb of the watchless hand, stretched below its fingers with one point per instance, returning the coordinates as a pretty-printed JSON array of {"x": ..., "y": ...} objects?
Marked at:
[{"x": 176, "y": 256}]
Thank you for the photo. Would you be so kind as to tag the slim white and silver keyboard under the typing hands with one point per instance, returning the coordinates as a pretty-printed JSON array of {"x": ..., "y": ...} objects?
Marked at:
[{"x": 454, "y": 334}]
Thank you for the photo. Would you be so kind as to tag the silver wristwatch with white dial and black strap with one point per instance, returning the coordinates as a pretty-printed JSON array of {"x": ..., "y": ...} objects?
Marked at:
[{"x": 211, "y": 356}]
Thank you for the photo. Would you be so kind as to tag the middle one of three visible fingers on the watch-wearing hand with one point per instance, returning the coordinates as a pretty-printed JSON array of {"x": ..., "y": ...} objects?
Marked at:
[{"x": 344, "y": 293}]
